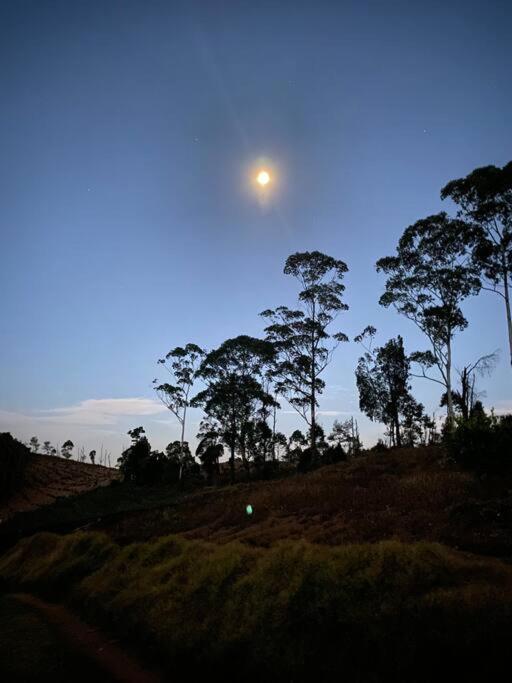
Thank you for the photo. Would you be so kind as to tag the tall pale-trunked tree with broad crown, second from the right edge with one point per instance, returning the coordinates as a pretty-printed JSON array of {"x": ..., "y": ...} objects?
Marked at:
[{"x": 427, "y": 281}]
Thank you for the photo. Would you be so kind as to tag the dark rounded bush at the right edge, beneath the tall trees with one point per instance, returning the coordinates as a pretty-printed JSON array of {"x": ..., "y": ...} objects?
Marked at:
[{"x": 483, "y": 443}]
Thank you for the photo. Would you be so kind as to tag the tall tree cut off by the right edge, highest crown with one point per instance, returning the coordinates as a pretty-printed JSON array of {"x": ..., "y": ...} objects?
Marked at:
[{"x": 485, "y": 199}]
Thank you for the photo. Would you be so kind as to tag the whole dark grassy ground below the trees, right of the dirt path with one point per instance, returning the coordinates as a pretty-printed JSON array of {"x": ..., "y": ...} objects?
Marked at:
[{"x": 390, "y": 567}]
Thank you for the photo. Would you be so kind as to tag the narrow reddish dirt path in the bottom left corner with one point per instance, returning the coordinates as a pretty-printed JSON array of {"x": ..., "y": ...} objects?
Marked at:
[{"x": 90, "y": 643}]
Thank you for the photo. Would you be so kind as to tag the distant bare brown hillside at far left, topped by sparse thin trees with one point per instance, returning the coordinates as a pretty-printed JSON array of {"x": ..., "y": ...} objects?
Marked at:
[{"x": 47, "y": 478}]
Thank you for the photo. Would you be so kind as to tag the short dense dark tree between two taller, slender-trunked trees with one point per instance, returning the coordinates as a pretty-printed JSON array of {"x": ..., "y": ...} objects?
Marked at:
[{"x": 383, "y": 381}]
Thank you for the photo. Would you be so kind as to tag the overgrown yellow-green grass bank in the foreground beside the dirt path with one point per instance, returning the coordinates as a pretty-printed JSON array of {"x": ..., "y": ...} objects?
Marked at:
[{"x": 295, "y": 611}]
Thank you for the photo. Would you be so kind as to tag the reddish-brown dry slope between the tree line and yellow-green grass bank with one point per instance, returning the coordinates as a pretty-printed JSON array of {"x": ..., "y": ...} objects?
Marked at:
[{"x": 407, "y": 495}]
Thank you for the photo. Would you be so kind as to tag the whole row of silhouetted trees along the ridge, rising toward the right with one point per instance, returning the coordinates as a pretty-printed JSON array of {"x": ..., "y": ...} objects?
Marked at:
[{"x": 439, "y": 262}]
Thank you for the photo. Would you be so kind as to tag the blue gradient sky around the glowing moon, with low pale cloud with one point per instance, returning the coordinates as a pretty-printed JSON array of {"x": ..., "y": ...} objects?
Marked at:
[{"x": 127, "y": 131}]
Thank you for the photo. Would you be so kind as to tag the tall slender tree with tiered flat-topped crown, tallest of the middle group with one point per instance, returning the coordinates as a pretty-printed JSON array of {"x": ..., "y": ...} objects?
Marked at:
[{"x": 301, "y": 337}]
